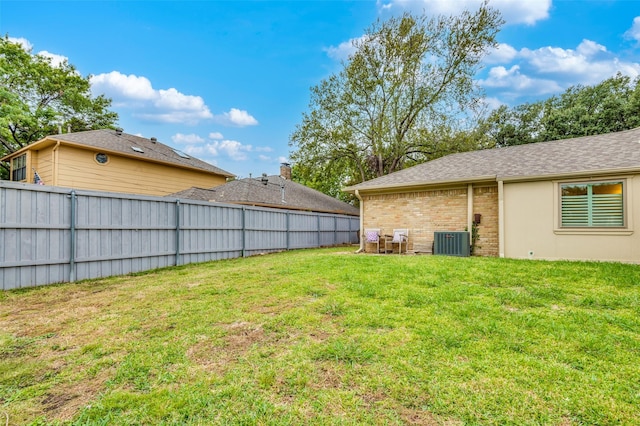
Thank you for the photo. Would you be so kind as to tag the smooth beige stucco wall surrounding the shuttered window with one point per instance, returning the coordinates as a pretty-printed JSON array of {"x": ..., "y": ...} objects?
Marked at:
[{"x": 531, "y": 229}]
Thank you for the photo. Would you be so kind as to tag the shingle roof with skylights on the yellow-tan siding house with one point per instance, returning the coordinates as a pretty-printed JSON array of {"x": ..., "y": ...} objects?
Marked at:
[{"x": 112, "y": 141}]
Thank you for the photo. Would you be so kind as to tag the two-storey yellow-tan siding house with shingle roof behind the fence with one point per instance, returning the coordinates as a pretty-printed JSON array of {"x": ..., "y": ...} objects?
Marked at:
[{"x": 109, "y": 160}]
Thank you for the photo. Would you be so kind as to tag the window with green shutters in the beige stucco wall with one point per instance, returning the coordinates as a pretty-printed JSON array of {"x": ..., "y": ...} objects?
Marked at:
[{"x": 597, "y": 204}]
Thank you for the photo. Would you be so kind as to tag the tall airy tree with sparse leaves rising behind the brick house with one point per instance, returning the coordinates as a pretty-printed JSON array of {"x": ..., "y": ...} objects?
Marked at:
[{"x": 404, "y": 90}]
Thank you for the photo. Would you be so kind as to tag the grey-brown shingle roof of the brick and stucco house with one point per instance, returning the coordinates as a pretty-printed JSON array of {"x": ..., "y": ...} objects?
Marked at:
[{"x": 608, "y": 153}]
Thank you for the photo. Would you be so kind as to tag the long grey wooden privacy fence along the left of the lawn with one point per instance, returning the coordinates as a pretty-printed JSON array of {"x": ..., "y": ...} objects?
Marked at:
[{"x": 51, "y": 235}]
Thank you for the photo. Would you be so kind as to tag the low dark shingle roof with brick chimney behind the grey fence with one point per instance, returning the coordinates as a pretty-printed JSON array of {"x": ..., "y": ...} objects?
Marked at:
[{"x": 270, "y": 191}]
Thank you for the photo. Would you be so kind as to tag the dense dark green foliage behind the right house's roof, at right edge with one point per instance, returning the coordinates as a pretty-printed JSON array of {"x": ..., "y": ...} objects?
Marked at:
[{"x": 610, "y": 106}]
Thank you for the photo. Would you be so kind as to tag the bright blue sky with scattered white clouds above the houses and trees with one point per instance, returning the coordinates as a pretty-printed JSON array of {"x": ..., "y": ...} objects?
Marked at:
[{"x": 227, "y": 81}]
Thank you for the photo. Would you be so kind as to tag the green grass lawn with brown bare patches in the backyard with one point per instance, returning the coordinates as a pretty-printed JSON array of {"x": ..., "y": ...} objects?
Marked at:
[{"x": 329, "y": 337}]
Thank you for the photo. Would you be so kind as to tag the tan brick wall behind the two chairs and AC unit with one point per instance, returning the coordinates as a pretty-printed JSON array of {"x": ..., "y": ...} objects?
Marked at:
[{"x": 424, "y": 212}]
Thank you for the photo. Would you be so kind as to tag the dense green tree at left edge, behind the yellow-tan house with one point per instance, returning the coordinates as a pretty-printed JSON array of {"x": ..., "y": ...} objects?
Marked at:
[{"x": 36, "y": 97}]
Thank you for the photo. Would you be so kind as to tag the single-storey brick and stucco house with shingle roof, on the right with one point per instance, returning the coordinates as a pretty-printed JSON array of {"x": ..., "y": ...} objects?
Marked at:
[{"x": 568, "y": 199}]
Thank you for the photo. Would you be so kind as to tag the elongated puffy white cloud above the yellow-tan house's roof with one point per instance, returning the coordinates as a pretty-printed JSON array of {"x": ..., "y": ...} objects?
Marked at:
[{"x": 136, "y": 92}]
